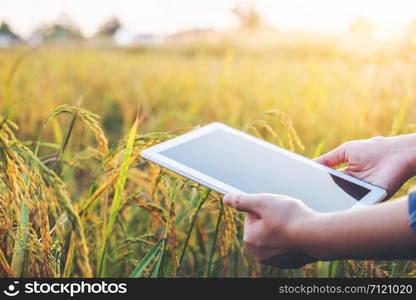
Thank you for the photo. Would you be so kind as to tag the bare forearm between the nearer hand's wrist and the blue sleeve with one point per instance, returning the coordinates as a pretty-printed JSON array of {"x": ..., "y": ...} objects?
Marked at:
[{"x": 377, "y": 232}]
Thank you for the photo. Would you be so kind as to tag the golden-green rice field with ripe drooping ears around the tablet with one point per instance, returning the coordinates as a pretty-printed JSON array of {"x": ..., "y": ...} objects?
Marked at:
[{"x": 76, "y": 198}]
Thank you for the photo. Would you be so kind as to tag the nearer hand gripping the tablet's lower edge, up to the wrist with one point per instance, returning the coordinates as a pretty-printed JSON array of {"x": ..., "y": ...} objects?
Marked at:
[{"x": 271, "y": 227}]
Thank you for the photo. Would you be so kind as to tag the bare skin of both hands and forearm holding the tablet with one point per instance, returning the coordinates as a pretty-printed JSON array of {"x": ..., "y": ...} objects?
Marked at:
[{"x": 283, "y": 232}]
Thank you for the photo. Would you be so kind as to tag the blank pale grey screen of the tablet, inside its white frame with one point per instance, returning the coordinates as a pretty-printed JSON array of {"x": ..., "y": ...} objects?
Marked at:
[{"x": 254, "y": 168}]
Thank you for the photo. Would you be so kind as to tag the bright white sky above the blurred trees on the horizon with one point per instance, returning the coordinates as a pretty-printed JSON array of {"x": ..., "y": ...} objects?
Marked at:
[{"x": 167, "y": 16}]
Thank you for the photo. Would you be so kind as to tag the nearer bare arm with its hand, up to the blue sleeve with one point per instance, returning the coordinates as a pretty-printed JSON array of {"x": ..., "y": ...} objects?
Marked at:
[{"x": 283, "y": 232}]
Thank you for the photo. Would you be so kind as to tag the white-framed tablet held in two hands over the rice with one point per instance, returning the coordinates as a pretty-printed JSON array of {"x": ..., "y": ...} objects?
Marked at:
[{"x": 228, "y": 160}]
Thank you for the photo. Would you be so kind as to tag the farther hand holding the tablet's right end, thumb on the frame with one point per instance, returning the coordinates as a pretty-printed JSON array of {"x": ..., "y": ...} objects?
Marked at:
[{"x": 387, "y": 162}]
